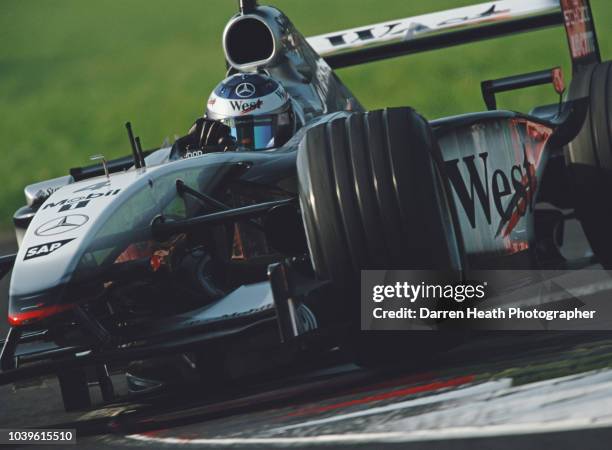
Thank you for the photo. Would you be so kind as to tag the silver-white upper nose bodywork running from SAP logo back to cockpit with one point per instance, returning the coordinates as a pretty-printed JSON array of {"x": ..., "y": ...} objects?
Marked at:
[{"x": 99, "y": 214}]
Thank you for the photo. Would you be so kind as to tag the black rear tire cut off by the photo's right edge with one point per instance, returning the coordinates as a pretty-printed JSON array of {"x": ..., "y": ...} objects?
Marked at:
[{"x": 589, "y": 158}]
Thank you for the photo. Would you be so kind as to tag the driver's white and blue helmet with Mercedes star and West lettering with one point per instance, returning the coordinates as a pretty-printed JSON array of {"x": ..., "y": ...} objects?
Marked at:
[{"x": 256, "y": 108}]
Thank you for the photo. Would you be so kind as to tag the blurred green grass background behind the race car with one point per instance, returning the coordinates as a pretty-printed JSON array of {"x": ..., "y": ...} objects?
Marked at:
[{"x": 73, "y": 71}]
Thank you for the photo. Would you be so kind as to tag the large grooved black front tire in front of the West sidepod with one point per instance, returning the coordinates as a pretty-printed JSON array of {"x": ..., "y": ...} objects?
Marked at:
[{"x": 372, "y": 198}]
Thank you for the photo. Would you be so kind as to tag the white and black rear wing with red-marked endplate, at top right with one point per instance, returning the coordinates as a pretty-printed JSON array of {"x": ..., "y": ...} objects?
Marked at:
[{"x": 461, "y": 26}]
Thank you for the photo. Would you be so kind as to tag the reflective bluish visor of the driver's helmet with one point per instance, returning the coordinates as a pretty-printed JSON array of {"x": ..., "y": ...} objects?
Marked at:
[{"x": 261, "y": 132}]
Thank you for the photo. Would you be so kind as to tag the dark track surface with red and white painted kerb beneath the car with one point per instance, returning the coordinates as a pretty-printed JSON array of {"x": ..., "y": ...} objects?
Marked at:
[{"x": 527, "y": 390}]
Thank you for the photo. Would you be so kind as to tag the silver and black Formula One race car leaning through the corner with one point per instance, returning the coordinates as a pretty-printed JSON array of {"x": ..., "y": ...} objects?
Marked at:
[{"x": 155, "y": 254}]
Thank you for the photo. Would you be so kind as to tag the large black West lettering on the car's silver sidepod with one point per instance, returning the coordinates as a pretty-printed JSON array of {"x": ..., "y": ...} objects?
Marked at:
[{"x": 519, "y": 182}]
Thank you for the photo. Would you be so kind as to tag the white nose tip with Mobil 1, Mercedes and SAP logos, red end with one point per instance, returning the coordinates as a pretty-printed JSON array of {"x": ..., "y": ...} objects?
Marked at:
[{"x": 53, "y": 245}]
